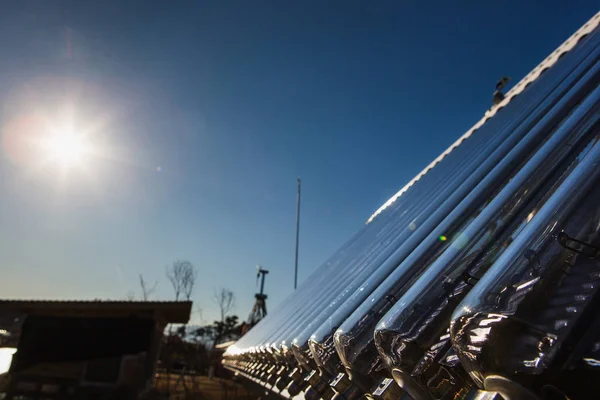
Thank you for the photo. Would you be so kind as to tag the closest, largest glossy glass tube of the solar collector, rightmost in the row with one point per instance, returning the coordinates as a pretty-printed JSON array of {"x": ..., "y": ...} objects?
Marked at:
[{"x": 533, "y": 265}]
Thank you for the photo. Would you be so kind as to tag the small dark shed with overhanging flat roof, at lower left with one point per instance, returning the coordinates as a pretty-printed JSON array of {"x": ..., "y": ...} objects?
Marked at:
[{"x": 87, "y": 349}]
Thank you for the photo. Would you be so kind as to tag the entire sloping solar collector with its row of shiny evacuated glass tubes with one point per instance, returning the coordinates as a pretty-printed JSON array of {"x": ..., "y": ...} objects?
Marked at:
[{"x": 478, "y": 280}]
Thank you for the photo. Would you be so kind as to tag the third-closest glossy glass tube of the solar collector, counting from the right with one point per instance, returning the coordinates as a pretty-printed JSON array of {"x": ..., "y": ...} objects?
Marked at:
[{"x": 355, "y": 333}]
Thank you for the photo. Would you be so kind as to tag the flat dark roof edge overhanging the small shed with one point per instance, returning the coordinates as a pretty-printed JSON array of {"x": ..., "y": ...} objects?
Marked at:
[{"x": 163, "y": 311}]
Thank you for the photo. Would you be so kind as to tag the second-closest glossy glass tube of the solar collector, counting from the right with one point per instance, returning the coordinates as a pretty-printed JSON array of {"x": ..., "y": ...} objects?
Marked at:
[{"x": 423, "y": 312}]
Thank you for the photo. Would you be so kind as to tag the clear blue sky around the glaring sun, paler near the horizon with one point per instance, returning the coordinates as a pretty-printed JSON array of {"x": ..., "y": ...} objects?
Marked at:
[{"x": 200, "y": 115}]
